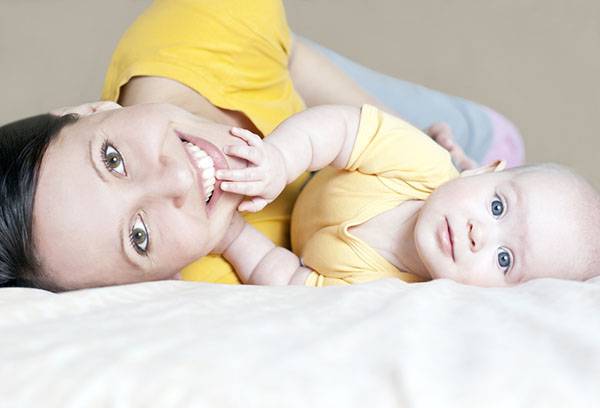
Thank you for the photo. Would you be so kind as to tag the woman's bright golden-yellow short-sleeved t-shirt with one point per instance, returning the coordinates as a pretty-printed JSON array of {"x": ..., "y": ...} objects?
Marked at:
[{"x": 235, "y": 53}]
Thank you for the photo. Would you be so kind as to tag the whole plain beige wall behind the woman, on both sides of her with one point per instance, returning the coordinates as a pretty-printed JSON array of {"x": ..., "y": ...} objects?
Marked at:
[{"x": 535, "y": 61}]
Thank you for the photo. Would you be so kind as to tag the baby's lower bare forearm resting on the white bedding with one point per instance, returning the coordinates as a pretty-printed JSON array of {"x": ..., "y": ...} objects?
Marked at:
[{"x": 258, "y": 261}]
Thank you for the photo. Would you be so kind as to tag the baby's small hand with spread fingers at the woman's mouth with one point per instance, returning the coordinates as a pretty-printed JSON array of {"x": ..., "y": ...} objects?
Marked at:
[{"x": 265, "y": 177}]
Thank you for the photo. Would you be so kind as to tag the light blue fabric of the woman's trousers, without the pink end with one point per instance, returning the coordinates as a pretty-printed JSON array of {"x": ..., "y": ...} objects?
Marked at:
[{"x": 421, "y": 106}]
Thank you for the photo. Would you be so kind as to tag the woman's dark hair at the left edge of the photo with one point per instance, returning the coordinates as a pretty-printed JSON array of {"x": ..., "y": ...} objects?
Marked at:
[{"x": 22, "y": 147}]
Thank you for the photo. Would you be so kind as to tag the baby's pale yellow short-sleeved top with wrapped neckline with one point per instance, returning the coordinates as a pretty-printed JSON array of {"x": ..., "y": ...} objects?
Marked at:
[{"x": 391, "y": 162}]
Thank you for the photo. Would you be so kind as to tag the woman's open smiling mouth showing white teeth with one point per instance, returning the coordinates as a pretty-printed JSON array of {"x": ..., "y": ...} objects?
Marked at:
[{"x": 206, "y": 158}]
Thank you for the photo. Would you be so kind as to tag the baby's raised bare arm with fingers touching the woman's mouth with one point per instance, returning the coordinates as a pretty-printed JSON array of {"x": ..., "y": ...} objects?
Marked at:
[{"x": 310, "y": 140}]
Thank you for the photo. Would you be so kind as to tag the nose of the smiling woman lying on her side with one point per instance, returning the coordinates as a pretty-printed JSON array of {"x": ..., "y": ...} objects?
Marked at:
[{"x": 173, "y": 181}]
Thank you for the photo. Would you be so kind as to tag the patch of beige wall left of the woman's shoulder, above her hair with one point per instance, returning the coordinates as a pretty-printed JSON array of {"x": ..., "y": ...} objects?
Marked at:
[{"x": 55, "y": 52}]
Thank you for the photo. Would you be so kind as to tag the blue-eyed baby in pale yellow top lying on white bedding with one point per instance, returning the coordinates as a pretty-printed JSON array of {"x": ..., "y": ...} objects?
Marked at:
[{"x": 392, "y": 204}]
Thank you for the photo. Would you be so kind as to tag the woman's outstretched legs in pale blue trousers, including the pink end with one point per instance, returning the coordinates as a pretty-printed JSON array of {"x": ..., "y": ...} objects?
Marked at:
[{"x": 482, "y": 133}]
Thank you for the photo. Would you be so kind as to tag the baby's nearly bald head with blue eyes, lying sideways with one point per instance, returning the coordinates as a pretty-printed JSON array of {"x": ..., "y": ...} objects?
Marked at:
[{"x": 498, "y": 228}]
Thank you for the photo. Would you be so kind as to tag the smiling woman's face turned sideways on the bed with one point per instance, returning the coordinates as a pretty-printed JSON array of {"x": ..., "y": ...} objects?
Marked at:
[{"x": 121, "y": 198}]
